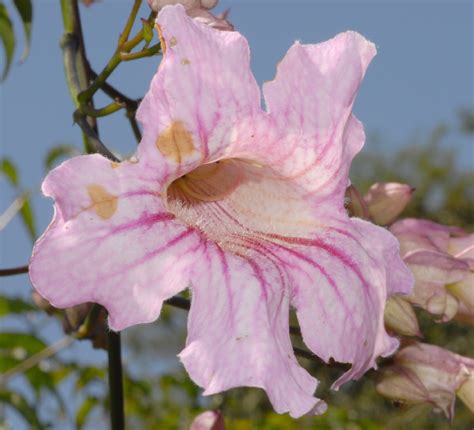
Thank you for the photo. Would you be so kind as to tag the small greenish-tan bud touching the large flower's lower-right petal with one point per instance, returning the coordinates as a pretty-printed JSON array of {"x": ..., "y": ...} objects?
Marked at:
[{"x": 400, "y": 317}]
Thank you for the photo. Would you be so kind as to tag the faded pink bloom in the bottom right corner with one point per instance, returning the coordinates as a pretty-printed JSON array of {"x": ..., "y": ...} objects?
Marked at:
[{"x": 425, "y": 373}]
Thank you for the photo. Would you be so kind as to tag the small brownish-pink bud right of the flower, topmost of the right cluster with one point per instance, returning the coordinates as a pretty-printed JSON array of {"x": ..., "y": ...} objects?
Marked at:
[{"x": 385, "y": 201}]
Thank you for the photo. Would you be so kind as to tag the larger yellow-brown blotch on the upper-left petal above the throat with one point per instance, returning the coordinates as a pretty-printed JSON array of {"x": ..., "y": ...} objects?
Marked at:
[{"x": 175, "y": 142}]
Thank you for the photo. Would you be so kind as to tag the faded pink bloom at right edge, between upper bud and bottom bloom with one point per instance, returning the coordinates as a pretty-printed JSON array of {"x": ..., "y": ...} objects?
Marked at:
[{"x": 442, "y": 260}]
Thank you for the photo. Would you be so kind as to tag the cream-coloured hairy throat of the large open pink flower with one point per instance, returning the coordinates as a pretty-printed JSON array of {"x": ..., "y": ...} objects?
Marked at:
[{"x": 234, "y": 201}]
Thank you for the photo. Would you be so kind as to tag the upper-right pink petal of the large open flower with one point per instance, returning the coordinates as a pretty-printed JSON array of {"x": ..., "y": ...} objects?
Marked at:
[{"x": 311, "y": 101}]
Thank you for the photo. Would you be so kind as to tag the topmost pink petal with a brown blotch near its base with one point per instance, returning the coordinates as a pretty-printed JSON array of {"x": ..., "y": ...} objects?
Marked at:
[{"x": 203, "y": 89}]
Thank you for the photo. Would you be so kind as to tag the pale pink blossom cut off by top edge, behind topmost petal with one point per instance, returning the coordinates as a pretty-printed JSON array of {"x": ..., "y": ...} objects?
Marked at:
[{"x": 199, "y": 10}]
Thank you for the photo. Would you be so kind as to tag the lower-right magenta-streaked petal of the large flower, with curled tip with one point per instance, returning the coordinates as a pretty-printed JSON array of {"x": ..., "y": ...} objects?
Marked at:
[{"x": 339, "y": 289}]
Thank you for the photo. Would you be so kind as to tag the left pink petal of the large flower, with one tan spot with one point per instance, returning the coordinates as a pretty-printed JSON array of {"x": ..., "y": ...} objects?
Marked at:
[{"x": 102, "y": 244}]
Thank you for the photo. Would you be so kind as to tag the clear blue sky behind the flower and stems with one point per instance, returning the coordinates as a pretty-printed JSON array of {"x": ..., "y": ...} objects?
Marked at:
[{"x": 422, "y": 75}]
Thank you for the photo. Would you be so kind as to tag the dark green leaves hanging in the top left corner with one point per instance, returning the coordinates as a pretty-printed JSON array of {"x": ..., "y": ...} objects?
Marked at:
[{"x": 7, "y": 34}]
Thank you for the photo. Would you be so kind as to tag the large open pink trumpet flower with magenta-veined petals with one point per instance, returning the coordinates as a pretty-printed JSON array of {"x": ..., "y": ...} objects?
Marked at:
[{"x": 244, "y": 206}]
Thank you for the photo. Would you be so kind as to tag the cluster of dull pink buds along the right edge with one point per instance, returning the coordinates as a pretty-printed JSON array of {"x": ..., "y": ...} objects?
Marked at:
[{"x": 442, "y": 261}]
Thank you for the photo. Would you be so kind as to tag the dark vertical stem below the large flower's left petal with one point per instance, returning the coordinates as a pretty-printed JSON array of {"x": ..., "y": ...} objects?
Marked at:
[{"x": 115, "y": 381}]
